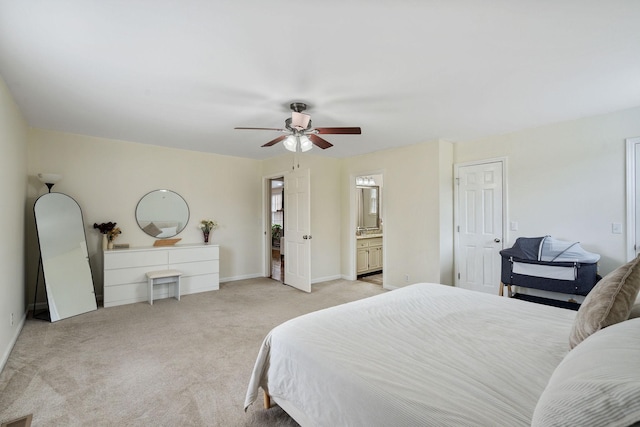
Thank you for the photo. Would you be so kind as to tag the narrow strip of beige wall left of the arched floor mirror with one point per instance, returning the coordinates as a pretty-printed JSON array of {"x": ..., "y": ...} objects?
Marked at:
[{"x": 13, "y": 164}]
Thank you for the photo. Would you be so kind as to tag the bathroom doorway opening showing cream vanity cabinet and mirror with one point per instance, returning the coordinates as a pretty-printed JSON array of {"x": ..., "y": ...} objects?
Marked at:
[{"x": 369, "y": 247}]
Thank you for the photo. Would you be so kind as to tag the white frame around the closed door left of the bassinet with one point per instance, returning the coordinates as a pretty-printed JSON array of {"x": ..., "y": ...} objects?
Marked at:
[{"x": 456, "y": 209}]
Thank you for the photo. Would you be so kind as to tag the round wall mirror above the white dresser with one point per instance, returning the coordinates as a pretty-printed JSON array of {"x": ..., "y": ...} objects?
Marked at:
[{"x": 162, "y": 214}]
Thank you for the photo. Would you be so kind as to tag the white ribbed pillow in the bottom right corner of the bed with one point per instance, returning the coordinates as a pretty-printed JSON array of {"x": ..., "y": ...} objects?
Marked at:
[{"x": 596, "y": 384}]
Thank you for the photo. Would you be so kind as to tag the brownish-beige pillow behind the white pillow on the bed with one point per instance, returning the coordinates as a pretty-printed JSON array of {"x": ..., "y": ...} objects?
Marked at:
[{"x": 609, "y": 302}]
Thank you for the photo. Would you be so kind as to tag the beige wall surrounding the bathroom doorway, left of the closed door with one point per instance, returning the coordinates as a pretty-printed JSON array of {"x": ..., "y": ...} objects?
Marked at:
[{"x": 413, "y": 192}]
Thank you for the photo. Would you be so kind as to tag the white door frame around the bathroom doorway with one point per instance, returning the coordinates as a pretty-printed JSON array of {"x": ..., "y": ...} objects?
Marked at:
[{"x": 353, "y": 220}]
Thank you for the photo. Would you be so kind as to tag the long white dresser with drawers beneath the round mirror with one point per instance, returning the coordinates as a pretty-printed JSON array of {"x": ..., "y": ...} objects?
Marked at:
[{"x": 125, "y": 280}]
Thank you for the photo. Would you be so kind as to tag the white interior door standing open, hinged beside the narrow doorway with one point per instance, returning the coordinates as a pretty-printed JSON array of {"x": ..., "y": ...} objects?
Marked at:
[{"x": 297, "y": 236}]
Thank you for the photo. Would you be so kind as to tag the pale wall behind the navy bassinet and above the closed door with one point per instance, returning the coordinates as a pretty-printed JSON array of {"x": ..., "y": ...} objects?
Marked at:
[{"x": 566, "y": 180}]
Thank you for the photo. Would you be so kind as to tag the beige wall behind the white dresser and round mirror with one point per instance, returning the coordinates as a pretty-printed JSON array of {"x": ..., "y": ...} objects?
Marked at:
[{"x": 108, "y": 177}]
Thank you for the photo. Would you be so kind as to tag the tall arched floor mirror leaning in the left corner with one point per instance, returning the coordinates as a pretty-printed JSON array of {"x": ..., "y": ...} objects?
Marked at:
[{"x": 63, "y": 253}]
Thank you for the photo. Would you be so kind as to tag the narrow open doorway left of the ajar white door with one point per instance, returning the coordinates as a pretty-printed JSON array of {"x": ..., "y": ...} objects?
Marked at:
[{"x": 277, "y": 229}]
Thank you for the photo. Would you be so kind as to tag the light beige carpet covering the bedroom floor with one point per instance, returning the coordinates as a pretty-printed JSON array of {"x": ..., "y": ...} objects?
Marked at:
[{"x": 183, "y": 363}]
